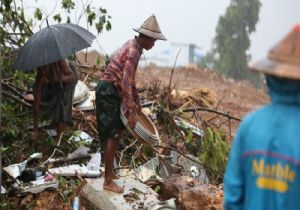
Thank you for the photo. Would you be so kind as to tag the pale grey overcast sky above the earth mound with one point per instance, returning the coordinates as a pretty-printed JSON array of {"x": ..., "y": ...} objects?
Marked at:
[{"x": 190, "y": 21}]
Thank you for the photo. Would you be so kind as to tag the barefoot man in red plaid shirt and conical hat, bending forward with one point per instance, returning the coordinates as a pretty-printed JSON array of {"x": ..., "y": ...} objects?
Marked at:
[{"x": 118, "y": 86}]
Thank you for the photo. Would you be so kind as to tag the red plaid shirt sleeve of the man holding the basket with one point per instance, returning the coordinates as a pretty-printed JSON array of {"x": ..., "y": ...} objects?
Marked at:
[{"x": 128, "y": 81}]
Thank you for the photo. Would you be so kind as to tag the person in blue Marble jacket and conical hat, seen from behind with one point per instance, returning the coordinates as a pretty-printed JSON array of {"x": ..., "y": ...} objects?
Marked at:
[{"x": 263, "y": 169}]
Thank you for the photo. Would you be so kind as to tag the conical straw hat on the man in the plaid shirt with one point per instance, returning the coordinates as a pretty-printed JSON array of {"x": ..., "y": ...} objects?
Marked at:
[{"x": 151, "y": 28}]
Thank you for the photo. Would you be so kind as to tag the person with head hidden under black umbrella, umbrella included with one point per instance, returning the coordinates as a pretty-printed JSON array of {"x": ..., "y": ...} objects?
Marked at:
[{"x": 46, "y": 50}]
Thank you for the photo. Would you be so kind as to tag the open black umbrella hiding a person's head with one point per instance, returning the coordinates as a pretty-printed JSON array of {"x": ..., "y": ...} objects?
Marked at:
[{"x": 51, "y": 44}]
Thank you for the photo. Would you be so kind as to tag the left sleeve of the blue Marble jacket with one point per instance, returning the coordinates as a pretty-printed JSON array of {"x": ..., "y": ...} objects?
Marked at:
[{"x": 234, "y": 179}]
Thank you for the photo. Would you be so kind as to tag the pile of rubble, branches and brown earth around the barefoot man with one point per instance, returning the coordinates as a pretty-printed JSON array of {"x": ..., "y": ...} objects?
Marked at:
[{"x": 196, "y": 120}]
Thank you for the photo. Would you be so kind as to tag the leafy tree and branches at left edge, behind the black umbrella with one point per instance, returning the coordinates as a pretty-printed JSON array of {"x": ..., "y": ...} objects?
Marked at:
[{"x": 16, "y": 27}]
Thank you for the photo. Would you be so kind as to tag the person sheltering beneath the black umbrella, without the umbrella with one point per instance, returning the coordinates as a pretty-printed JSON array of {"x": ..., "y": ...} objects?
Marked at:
[{"x": 53, "y": 93}]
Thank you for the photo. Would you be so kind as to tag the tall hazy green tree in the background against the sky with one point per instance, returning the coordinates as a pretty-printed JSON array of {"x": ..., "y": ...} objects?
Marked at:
[{"x": 229, "y": 54}]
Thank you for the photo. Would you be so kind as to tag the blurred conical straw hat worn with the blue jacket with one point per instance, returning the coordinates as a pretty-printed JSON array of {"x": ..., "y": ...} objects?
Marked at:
[{"x": 283, "y": 59}]
